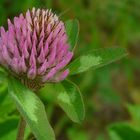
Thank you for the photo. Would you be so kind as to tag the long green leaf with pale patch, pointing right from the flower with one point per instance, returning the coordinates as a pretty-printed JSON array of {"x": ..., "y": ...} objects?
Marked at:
[{"x": 96, "y": 59}]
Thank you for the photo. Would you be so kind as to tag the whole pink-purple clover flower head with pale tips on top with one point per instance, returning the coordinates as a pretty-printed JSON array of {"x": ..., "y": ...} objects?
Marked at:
[{"x": 35, "y": 47}]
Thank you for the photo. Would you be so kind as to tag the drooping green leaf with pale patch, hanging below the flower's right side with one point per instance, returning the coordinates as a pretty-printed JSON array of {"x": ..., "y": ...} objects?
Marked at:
[{"x": 70, "y": 100}]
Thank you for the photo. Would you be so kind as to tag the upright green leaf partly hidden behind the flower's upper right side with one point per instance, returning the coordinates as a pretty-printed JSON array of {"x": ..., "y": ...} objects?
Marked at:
[{"x": 72, "y": 29}]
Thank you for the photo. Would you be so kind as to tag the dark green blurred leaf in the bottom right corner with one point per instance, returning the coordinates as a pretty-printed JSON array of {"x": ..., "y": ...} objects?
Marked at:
[{"x": 125, "y": 132}]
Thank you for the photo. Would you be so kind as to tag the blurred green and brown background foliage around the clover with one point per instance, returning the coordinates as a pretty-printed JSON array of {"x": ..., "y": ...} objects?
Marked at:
[{"x": 112, "y": 93}]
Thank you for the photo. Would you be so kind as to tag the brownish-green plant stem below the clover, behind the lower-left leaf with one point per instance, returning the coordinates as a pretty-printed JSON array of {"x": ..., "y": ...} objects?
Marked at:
[{"x": 21, "y": 129}]
